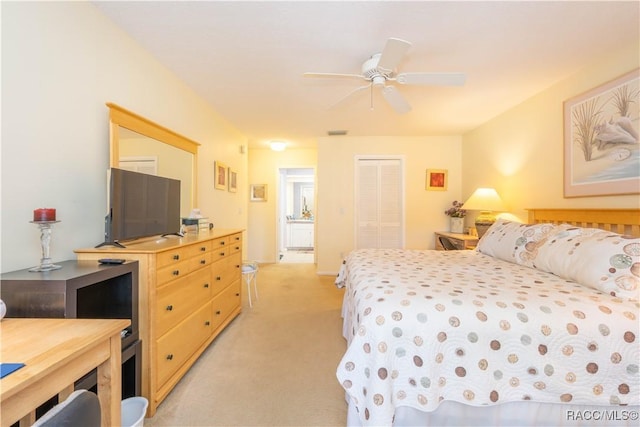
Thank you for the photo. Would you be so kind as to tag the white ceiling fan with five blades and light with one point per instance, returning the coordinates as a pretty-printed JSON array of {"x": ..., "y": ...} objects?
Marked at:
[{"x": 380, "y": 72}]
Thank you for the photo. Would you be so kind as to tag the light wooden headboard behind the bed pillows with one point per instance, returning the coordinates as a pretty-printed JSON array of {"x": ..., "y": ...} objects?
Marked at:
[{"x": 622, "y": 221}]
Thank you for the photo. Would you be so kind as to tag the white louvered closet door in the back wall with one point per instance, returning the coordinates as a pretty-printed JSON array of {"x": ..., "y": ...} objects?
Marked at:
[{"x": 379, "y": 203}]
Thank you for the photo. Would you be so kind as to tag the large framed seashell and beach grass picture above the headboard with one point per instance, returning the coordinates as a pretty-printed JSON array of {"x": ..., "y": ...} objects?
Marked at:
[{"x": 601, "y": 128}]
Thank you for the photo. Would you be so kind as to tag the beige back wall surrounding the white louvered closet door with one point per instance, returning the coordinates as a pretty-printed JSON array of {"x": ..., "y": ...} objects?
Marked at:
[{"x": 424, "y": 210}]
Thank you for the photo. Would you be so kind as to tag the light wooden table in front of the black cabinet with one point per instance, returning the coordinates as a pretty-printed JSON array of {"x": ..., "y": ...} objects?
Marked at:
[{"x": 57, "y": 352}]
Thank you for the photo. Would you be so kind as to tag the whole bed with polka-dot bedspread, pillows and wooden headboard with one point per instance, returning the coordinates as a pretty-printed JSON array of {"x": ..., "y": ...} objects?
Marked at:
[{"x": 537, "y": 326}]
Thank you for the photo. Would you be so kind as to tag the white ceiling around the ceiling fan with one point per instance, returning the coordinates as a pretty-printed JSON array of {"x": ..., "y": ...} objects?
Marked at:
[{"x": 247, "y": 58}]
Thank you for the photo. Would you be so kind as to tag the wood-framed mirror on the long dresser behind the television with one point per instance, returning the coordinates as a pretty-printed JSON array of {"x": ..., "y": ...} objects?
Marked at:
[{"x": 141, "y": 145}]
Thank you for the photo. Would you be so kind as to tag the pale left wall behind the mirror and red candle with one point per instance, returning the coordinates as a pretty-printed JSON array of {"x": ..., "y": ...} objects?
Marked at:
[{"x": 61, "y": 62}]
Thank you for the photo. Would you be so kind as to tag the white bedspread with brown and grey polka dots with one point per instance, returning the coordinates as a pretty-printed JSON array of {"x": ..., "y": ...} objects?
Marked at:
[{"x": 427, "y": 326}]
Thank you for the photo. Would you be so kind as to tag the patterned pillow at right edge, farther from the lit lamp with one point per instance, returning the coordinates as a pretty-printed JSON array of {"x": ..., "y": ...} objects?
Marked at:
[{"x": 600, "y": 259}]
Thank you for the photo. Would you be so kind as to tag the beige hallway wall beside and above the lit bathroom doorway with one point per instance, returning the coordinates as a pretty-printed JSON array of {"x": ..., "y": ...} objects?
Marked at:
[{"x": 263, "y": 169}]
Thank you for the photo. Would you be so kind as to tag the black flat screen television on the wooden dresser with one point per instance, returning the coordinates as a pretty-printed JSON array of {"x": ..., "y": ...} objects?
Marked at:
[{"x": 141, "y": 205}]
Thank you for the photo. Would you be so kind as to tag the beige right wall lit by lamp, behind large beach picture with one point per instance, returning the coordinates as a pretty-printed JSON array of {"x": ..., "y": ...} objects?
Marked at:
[{"x": 520, "y": 152}]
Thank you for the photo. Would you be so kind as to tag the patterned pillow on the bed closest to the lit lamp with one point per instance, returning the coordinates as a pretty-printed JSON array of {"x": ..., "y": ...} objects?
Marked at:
[{"x": 515, "y": 242}]
